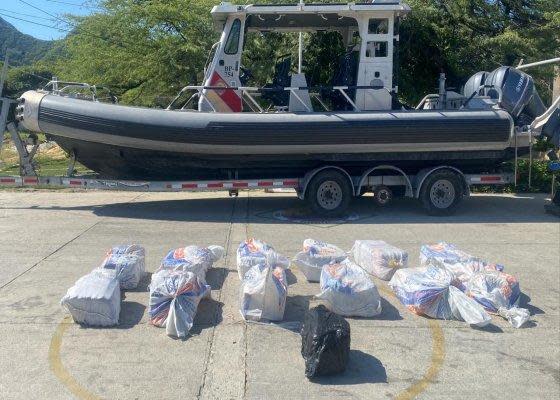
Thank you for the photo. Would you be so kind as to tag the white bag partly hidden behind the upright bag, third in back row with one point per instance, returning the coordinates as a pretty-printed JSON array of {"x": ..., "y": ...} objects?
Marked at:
[{"x": 253, "y": 252}]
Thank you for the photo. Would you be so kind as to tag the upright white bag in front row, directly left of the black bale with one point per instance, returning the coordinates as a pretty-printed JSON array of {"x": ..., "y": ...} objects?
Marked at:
[{"x": 263, "y": 293}]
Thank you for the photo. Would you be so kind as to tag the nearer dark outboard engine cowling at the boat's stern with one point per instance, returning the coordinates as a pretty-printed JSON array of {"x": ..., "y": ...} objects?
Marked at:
[{"x": 518, "y": 92}]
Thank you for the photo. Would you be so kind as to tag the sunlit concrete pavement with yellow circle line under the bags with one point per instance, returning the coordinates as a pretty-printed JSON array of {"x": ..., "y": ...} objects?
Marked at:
[{"x": 50, "y": 239}]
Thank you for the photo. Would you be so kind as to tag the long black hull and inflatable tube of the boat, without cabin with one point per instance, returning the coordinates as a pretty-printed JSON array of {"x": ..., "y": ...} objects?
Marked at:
[{"x": 124, "y": 142}]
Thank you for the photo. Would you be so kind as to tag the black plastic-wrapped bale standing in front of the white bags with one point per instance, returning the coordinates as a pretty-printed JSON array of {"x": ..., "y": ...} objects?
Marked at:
[{"x": 325, "y": 343}]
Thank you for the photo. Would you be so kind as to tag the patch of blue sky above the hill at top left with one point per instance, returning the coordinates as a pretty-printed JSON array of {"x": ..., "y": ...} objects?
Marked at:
[{"x": 14, "y": 11}]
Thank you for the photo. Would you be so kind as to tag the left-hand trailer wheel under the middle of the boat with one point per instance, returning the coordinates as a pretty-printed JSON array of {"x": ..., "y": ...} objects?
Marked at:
[{"x": 329, "y": 193}]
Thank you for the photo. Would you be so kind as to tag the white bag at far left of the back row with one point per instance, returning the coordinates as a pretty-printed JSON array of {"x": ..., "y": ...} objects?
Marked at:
[{"x": 127, "y": 264}]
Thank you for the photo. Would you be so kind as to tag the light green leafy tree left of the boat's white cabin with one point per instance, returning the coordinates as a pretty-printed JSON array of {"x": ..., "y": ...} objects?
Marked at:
[{"x": 143, "y": 49}]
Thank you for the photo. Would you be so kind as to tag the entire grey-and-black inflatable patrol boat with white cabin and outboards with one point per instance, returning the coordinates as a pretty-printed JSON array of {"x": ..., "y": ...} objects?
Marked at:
[{"x": 361, "y": 126}]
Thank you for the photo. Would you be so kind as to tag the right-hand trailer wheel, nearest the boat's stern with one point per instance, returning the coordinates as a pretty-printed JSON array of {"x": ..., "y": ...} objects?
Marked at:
[{"x": 441, "y": 193}]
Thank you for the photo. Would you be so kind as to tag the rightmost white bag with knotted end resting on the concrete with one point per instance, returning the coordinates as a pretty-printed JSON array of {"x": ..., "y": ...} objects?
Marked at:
[{"x": 498, "y": 293}]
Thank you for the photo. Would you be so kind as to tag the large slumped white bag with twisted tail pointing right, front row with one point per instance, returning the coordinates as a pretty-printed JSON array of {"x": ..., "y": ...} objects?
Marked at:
[{"x": 429, "y": 291}]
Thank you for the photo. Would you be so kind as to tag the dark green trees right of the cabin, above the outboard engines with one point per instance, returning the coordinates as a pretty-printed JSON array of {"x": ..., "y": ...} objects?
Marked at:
[{"x": 462, "y": 37}]
